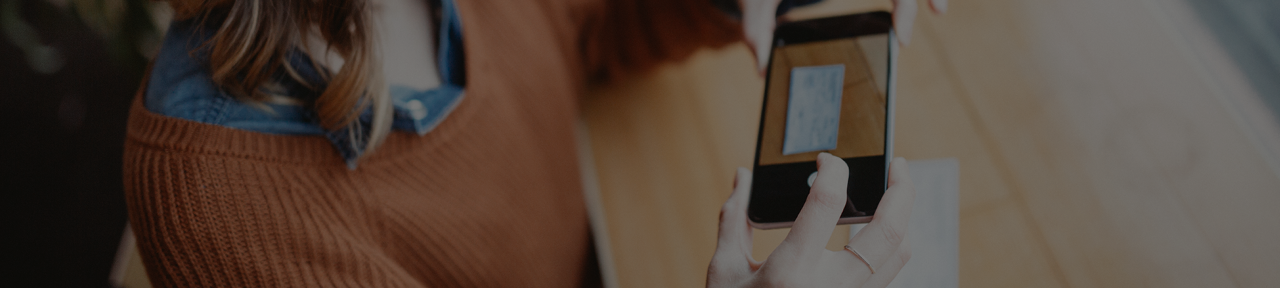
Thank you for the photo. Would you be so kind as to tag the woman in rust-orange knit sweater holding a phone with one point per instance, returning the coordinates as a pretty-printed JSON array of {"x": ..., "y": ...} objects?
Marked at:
[{"x": 312, "y": 144}]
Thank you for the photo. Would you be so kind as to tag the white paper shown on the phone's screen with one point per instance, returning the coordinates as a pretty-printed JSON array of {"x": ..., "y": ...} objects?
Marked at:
[{"x": 813, "y": 109}]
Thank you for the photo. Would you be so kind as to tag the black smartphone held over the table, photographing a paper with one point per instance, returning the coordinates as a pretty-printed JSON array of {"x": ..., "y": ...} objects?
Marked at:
[{"x": 829, "y": 89}]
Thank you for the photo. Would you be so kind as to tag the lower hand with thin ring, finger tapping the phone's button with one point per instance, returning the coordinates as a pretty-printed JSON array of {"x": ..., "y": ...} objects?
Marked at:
[{"x": 803, "y": 259}]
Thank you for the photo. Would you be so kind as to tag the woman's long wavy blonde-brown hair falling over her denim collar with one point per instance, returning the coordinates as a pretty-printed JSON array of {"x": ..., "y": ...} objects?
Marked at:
[{"x": 255, "y": 36}]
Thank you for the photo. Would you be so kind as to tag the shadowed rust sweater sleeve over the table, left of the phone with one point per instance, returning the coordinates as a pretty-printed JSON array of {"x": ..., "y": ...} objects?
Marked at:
[{"x": 634, "y": 36}]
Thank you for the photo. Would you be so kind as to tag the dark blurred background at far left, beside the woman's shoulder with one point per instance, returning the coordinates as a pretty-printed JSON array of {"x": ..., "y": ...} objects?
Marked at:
[{"x": 63, "y": 140}]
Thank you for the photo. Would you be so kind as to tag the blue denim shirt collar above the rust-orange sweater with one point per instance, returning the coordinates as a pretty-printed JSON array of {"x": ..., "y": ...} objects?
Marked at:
[{"x": 181, "y": 86}]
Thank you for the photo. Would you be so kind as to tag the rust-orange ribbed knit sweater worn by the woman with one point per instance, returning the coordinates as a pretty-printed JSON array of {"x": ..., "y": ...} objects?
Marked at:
[{"x": 490, "y": 199}]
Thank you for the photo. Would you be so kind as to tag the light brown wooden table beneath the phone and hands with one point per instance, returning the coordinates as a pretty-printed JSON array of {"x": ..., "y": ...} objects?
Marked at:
[{"x": 1101, "y": 144}]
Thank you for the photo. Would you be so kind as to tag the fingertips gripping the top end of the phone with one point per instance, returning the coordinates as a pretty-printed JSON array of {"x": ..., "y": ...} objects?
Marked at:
[{"x": 760, "y": 19}]
